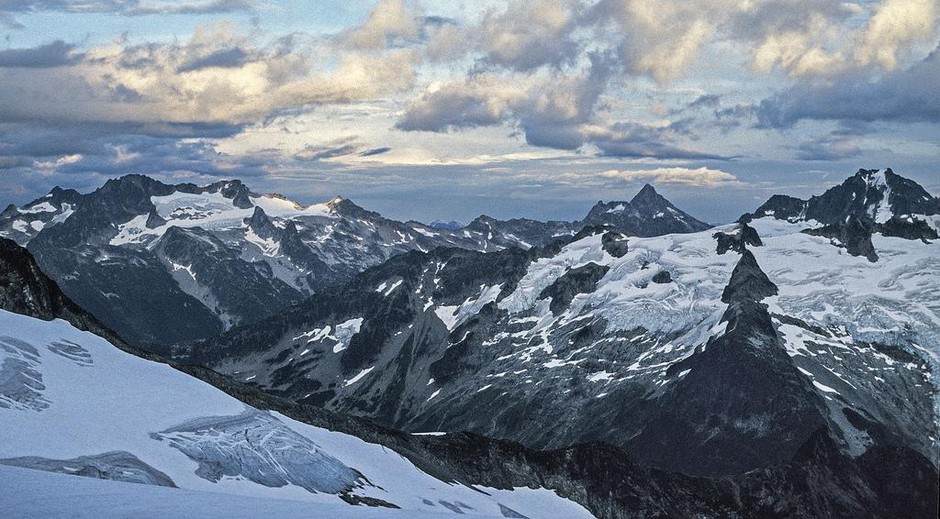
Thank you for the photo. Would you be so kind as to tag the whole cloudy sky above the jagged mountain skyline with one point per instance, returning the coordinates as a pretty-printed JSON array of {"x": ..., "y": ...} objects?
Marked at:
[{"x": 448, "y": 109}]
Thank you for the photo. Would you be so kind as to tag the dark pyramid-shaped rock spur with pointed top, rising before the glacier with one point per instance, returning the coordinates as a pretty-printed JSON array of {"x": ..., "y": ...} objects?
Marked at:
[{"x": 739, "y": 403}]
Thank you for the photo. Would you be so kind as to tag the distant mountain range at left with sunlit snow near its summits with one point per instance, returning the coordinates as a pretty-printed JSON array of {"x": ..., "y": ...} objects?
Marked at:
[{"x": 165, "y": 263}]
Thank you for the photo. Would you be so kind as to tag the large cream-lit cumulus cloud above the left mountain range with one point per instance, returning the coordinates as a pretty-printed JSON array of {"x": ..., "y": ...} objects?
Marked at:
[{"x": 217, "y": 77}]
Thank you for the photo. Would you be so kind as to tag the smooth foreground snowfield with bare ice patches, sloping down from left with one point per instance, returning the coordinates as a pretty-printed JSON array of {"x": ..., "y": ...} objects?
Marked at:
[{"x": 72, "y": 403}]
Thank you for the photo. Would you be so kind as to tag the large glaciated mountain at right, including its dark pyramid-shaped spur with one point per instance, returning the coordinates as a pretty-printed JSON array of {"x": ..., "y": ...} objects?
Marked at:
[{"x": 708, "y": 353}]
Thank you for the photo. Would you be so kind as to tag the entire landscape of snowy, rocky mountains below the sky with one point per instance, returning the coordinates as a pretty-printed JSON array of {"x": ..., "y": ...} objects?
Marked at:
[{"x": 326, "y": 360}]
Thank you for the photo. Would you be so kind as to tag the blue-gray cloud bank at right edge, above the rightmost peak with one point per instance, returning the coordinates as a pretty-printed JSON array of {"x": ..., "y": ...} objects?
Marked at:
[{"x": 901, "y": 96}]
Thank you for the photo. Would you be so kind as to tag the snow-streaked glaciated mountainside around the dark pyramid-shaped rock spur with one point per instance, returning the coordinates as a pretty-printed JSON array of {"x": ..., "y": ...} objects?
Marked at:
[{"x": 578, "y": 344}]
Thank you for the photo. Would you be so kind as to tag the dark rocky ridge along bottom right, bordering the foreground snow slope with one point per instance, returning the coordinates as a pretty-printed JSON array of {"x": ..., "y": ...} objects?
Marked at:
[{"x": 819, "y": 480}]
